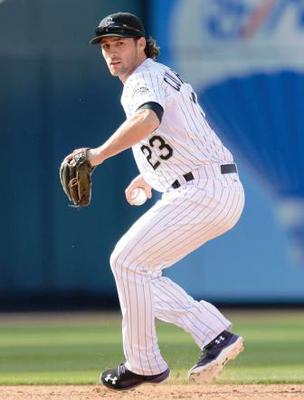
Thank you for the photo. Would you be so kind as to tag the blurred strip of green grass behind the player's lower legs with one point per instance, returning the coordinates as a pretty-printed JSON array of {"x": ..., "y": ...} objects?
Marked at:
[{"x": 73, "y": 351}]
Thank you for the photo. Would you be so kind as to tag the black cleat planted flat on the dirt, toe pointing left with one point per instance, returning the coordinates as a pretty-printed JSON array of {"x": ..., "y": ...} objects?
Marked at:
[{"x": 121, "y": 378}]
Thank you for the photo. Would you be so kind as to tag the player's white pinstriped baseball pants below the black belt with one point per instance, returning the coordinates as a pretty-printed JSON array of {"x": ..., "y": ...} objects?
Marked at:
[{"x": 184, "y": 219}]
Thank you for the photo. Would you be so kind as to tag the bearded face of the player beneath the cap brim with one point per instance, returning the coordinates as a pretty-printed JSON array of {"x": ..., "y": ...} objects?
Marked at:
[{"x": 122, "y": 55}]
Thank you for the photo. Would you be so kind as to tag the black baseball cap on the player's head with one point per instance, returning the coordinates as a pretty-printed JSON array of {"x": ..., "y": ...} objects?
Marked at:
[{"x": 120, "y": 24}]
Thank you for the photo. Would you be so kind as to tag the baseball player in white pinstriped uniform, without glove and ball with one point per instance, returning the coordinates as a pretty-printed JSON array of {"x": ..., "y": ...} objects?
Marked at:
[{"x": 178, "y": 154}]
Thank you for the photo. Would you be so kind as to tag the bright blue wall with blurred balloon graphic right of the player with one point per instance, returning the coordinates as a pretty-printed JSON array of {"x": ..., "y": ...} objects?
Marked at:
[{"x": 254, "y": 261}]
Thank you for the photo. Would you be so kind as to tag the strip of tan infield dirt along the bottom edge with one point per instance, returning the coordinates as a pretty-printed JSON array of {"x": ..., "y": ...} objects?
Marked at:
[{"x": 154, "y": 392}]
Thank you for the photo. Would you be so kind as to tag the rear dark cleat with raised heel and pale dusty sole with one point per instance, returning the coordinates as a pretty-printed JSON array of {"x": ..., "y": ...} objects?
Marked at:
[{"x": 225, "y": 347}]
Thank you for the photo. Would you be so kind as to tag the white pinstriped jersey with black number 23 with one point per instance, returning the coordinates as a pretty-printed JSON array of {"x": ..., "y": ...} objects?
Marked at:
[{"x": 184, "y": 141}]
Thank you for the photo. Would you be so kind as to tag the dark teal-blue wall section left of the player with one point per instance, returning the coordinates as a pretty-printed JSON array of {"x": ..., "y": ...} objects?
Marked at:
[{"x": 56, "y": 95}]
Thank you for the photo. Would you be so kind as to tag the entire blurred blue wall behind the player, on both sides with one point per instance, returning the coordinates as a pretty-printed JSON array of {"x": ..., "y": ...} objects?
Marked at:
[{"x": 245, "y": 61}]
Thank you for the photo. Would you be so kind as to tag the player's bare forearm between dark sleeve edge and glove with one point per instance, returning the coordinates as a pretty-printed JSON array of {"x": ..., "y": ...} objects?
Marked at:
[{"x": 134, "y": 129}]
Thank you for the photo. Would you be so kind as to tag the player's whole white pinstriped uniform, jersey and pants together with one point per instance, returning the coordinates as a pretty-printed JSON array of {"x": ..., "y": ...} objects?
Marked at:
[{"x": 183, "y": 220}]
